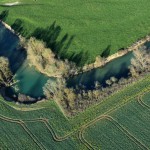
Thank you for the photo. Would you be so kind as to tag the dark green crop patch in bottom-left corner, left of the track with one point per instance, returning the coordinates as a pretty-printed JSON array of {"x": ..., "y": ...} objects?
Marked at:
[{"x": 10, "y": 136}]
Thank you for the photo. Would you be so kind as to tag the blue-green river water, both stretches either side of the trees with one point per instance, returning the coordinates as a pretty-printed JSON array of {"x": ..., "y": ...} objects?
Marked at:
[{"x": 31, "y": 81}]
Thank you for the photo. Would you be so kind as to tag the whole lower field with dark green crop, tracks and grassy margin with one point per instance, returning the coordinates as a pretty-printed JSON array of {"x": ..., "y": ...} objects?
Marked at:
[{"x": 122, "y": 121}]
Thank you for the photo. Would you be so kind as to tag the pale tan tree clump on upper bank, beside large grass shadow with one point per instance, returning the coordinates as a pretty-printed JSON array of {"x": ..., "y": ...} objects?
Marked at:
[{"x": 45, "y": 61}]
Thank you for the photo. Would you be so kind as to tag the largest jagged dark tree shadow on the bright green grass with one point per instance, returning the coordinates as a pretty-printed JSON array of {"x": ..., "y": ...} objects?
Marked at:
[{"x": 59, "y": 44}]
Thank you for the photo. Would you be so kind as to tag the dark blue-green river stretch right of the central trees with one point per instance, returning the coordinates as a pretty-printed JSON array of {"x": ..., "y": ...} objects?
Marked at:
[{"x": 118, "y": 68}]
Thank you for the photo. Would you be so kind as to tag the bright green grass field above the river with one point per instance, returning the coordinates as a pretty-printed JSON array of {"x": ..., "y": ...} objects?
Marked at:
[{"x": 93, "y": 25}]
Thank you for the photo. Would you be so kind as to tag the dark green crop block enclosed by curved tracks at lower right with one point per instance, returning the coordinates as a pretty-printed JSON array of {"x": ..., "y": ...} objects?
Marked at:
[{"x": 105, "y": 135}]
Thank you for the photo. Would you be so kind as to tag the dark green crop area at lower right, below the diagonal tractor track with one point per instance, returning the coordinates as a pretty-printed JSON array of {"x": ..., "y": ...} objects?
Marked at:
[{"x": 126, "y": 128}]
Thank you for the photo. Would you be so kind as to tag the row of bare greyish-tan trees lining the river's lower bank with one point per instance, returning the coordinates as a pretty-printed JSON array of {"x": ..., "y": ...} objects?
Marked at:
[{"x": 75, "y": 100}]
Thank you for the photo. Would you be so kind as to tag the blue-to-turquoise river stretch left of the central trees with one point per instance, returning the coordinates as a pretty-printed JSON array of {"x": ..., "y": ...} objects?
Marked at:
[{"x": 30, "y": 80}]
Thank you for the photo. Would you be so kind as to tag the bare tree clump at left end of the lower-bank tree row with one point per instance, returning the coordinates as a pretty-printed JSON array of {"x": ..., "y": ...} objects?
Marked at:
[{"x": 59, "y": 92}]
